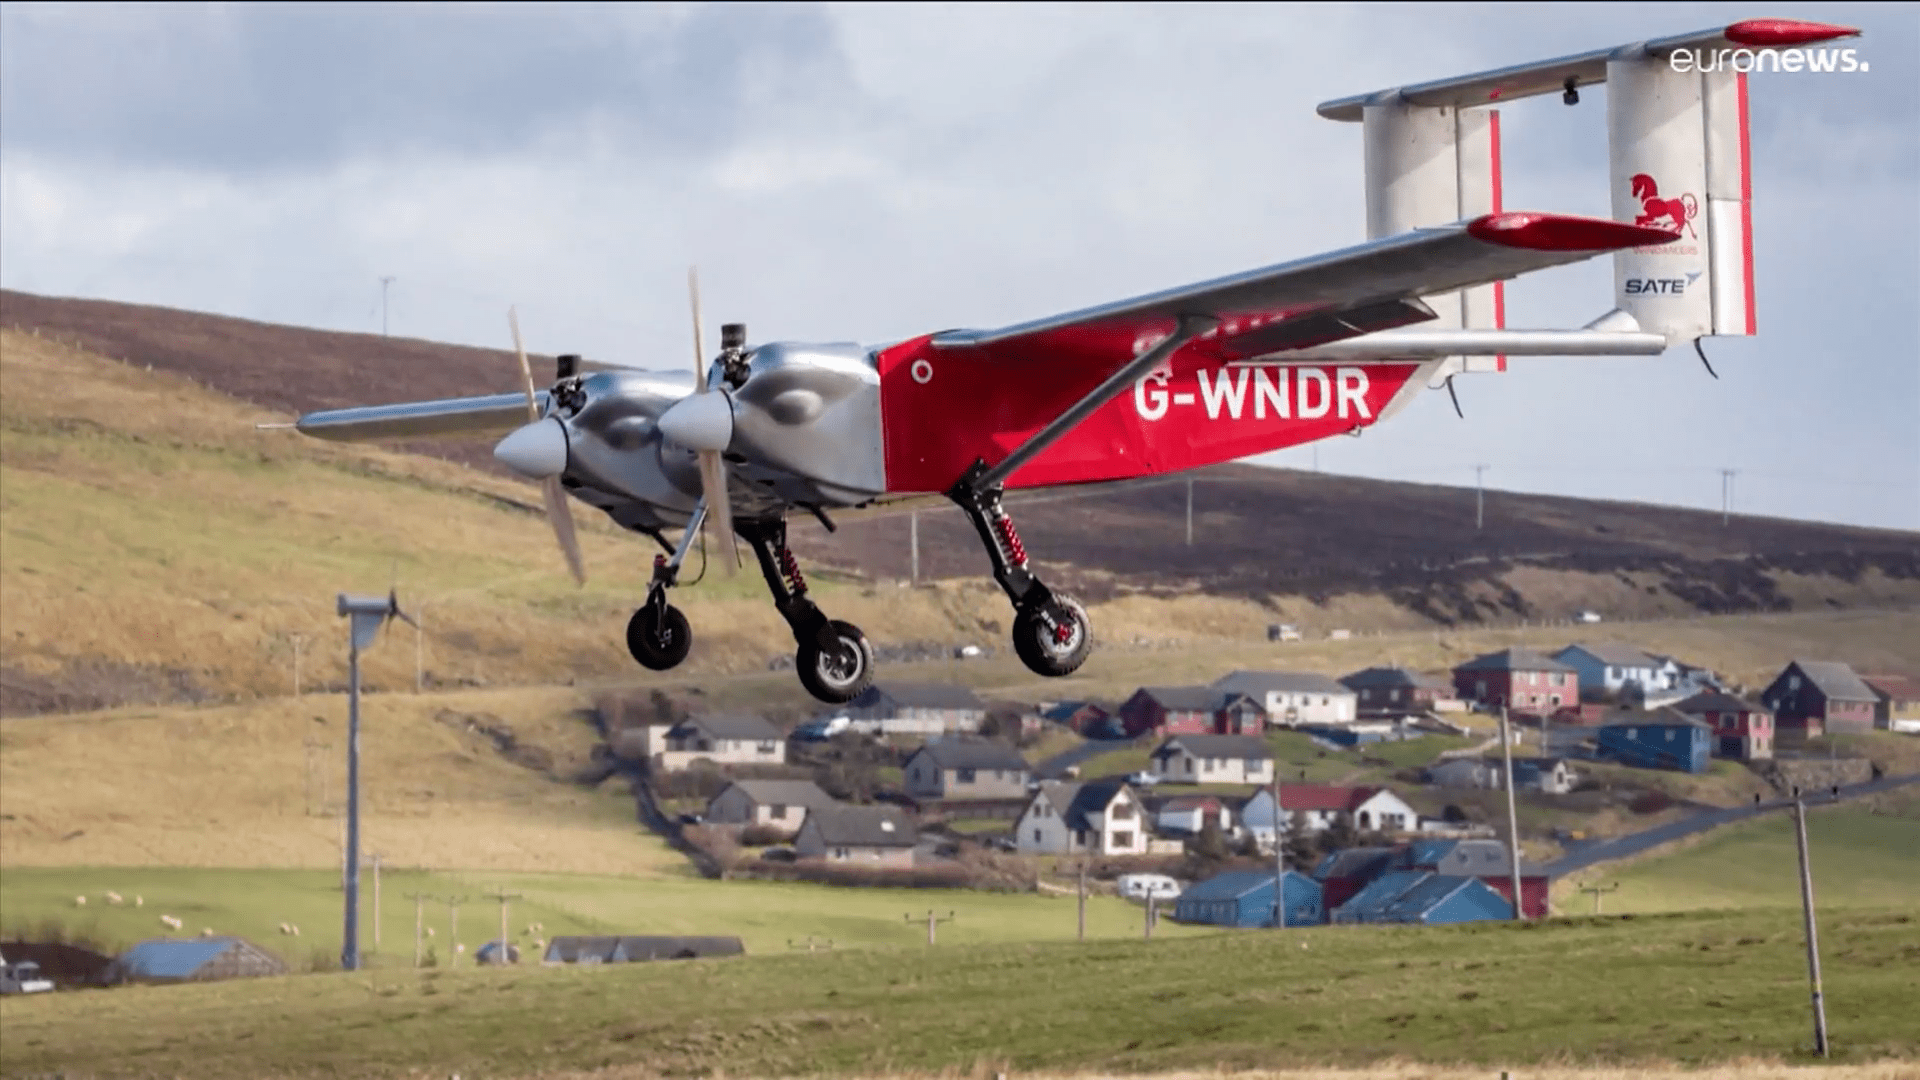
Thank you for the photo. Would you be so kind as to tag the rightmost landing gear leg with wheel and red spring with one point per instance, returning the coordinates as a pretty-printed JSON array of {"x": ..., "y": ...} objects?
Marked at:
[{"x": 1051, "y": 633}]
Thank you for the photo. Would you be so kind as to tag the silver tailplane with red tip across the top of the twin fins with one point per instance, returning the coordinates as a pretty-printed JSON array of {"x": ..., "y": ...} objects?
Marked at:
[{"x": 1585, "y": 70}]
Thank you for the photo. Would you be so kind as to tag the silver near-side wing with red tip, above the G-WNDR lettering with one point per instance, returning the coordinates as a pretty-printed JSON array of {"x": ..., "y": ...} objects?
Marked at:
[{"x": 1316, "y": 301}]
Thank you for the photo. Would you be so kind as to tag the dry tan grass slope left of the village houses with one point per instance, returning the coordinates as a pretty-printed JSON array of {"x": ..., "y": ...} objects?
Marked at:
[{"x": 235, "y": 787}]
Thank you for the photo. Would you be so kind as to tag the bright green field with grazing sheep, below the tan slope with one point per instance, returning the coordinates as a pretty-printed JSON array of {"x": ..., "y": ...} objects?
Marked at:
[{"x": 765, "y": 916}]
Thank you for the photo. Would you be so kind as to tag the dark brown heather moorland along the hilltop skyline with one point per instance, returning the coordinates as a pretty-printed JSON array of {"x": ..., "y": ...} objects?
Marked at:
[{"x": 1259, "y": 533}]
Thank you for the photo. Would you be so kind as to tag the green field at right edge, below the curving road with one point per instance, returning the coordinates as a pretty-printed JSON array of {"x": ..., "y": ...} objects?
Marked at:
[{"x": 1860, "y": 860}]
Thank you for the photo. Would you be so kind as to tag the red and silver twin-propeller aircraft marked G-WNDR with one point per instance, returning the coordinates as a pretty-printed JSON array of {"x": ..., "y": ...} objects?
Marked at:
[{"x": 1178, "y": 380}]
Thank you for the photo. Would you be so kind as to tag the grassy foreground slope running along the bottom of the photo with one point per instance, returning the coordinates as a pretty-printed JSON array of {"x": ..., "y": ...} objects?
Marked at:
[{"x": 1694, "y": 989}]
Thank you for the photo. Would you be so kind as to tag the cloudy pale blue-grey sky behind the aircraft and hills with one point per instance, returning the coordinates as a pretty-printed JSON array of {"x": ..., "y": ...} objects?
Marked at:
[{"x": 871, "y": 174}]
